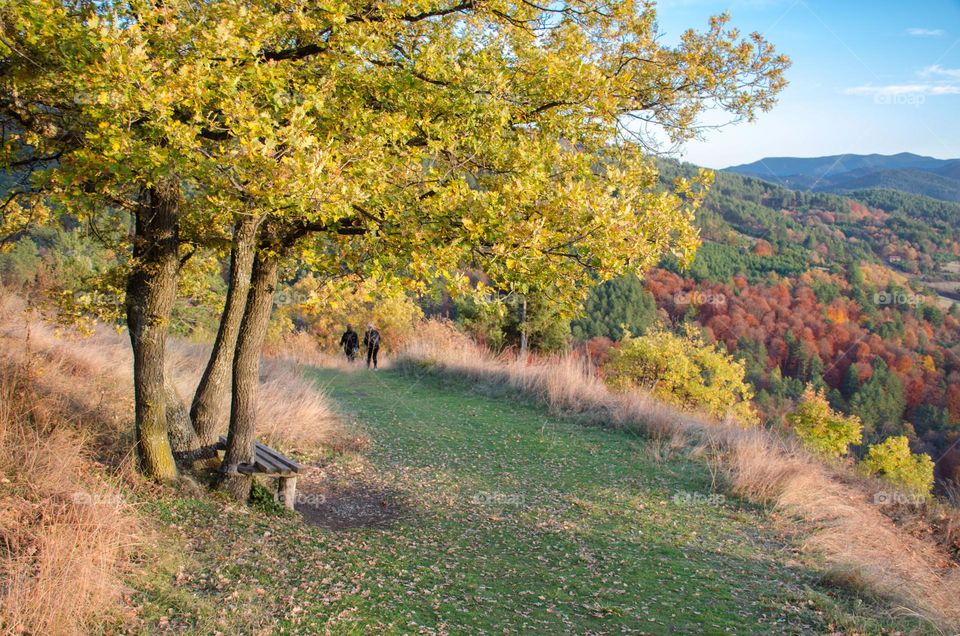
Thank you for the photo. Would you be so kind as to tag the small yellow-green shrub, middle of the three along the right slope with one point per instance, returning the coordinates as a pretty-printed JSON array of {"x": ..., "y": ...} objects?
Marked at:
[{"x": 821, "y": 429}]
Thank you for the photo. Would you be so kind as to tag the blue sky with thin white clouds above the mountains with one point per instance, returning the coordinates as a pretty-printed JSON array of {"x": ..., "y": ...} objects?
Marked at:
[{"x": 867, "y": 77}]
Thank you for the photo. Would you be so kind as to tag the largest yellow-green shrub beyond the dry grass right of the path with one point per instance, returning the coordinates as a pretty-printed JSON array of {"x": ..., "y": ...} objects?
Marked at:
[{"x": 685, "y": 370}]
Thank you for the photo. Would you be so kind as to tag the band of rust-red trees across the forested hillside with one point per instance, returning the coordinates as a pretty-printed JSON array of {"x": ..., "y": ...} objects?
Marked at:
[{"x": 766, "y": 313}]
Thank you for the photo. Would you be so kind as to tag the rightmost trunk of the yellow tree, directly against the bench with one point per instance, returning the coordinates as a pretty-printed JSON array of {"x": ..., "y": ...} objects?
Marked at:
[{"x": 246, "y": 375}]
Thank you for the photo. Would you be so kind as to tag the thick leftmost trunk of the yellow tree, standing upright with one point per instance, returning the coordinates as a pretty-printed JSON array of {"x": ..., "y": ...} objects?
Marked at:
[{"x": 151, "y": 292}]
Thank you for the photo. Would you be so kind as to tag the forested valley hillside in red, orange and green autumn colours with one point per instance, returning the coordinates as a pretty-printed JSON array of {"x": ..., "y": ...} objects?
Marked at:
[{"x": 851, "y": 293}]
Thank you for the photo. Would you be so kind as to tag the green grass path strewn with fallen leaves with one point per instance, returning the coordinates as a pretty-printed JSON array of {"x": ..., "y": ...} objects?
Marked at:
[{"x": 509, "y": 520}]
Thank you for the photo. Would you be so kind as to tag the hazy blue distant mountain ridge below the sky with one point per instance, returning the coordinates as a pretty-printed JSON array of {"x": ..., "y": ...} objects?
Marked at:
[{"x": 907, "y": 172}]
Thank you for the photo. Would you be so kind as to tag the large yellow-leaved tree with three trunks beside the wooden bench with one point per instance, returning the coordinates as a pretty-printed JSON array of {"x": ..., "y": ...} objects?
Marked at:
[{"x": 376, "y": 139}]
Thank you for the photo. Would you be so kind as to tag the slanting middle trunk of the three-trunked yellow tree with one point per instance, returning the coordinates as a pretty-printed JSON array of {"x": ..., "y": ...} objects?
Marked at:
[{"x": 207, "y": 410}]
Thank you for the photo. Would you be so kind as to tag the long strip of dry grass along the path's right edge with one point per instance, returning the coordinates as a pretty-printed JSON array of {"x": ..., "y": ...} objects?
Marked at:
[{"x": 861, "y": 547}]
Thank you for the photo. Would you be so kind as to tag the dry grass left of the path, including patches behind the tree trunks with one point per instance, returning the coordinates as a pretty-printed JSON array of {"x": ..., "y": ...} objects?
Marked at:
[{"x": 67, "y": 534}]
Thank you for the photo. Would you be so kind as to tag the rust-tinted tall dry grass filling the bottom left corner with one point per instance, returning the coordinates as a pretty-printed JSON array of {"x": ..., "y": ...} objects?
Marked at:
[{"x": 66, "y": 533}]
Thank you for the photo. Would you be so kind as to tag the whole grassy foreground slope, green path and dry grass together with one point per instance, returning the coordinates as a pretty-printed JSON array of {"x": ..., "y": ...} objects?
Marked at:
[{"x": 467, "y": 505}]
